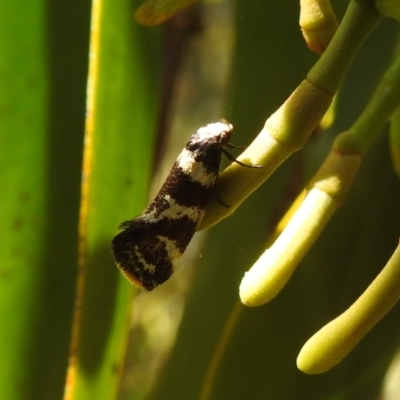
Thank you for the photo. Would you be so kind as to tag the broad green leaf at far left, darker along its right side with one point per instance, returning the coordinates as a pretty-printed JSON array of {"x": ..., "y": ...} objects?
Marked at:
[{"x": 43, "y": 66}]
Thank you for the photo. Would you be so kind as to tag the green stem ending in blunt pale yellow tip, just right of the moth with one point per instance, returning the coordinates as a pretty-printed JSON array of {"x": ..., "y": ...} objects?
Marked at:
[{"x": 326, "y": 192}]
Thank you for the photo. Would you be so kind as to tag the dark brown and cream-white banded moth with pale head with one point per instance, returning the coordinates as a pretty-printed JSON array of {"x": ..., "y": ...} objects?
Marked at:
[{"x": 149, "y": 244}]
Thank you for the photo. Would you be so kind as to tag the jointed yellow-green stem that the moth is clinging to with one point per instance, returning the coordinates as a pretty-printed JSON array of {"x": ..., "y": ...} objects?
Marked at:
[{"x": 289, "y": 127}]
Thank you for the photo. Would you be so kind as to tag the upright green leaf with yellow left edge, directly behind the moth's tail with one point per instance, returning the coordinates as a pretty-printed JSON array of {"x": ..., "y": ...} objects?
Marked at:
[{"x": 122, "y": 107}]
